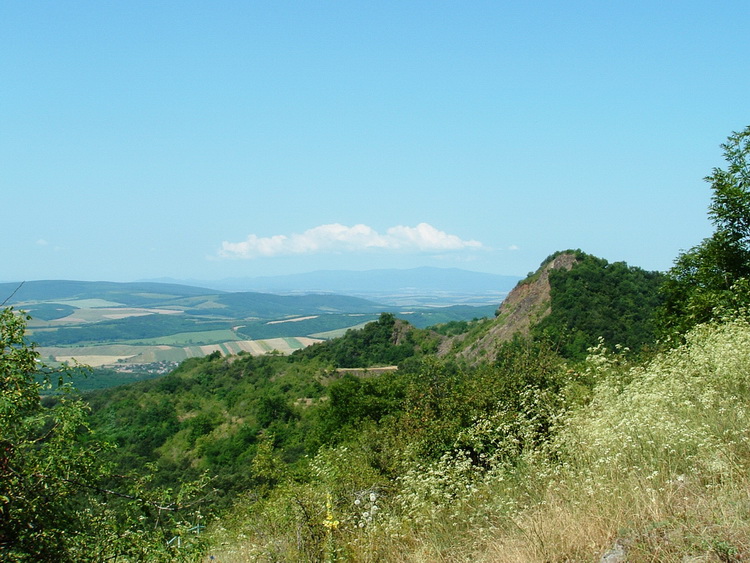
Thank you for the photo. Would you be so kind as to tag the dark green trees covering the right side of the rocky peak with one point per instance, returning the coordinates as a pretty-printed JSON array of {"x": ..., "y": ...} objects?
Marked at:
[{"x": 597, "y": 299}]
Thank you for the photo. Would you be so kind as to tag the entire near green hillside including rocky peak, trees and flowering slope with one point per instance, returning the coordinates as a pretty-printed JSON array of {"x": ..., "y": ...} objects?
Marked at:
[{"x": 561, "y": 430}]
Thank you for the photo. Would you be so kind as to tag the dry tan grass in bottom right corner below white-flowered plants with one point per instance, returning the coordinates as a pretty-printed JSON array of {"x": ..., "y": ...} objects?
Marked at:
[{"x": 678, "y": 522}]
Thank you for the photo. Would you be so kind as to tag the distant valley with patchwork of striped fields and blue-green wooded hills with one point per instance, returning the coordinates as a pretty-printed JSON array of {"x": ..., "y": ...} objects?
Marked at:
[{"x": 141, "y": 328}]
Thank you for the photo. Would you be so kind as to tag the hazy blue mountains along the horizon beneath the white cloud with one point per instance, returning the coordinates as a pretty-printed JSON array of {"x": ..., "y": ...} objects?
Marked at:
[{"x": 425, "y": 286}]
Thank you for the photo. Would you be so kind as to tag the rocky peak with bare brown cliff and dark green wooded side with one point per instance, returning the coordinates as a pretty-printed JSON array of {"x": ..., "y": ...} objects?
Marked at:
[{"x": 571, "y": 301}]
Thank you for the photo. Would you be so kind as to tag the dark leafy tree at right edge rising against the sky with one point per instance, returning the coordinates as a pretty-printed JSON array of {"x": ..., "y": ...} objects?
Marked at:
[{"x": 714, "y": 277}]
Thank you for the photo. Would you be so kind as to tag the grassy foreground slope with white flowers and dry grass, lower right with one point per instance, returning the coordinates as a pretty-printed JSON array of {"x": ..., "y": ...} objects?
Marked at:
[{"x": 655, "y": 462}]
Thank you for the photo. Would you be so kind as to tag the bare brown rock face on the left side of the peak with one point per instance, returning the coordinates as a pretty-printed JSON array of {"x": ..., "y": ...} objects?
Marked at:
[{"x": 526, "y": 305}]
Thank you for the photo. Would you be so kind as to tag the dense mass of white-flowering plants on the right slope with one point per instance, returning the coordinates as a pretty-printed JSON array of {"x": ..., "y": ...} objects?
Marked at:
[{"x": 686, "y": 411}]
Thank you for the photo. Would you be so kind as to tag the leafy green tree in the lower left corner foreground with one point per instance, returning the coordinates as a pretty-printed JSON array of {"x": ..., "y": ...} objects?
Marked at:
[{"x": 55, "y": 500}]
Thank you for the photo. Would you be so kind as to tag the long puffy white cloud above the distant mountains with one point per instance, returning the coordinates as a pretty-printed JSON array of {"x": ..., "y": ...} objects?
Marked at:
[{"x": 340, "y": 238}]
